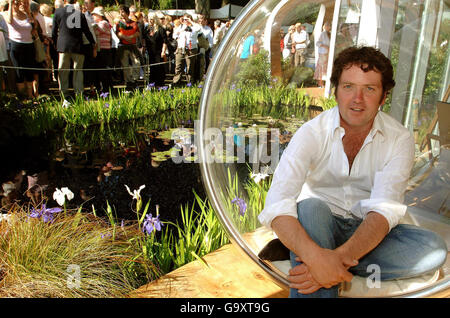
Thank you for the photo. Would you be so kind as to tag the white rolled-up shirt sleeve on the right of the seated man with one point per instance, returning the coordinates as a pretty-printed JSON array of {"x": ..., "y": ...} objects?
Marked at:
[{"x": 390, "y": 183}]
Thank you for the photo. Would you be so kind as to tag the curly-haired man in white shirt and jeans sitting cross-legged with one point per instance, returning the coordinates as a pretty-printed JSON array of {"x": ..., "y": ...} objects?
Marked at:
[{"x": 337, "y": 194}]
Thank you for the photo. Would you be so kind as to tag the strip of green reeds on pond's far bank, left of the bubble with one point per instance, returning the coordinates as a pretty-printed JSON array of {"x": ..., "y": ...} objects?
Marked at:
[{"x": 164, "y": 107}]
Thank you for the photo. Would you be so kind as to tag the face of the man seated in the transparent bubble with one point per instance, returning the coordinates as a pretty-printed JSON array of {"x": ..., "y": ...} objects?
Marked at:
[{"x": 359, "y": 95}]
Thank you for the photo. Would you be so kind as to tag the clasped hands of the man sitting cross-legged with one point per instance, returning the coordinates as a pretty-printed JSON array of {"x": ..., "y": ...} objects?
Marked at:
[{"x": 324, "y": 268}]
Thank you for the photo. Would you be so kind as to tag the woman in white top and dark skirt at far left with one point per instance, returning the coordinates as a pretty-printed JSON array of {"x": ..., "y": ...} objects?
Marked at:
[{"x": 22, "y": 52}]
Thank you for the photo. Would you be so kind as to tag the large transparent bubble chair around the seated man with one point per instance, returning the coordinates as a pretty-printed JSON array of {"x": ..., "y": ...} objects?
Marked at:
[{"x": 256, "y": 95}]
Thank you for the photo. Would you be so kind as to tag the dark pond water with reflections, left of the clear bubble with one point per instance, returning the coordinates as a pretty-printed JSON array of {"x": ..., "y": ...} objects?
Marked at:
[{"x": 96, "y": 163}]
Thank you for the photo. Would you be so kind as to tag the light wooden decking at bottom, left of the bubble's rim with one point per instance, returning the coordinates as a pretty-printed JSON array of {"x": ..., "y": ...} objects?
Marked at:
[{"x": 228, "y": 274}]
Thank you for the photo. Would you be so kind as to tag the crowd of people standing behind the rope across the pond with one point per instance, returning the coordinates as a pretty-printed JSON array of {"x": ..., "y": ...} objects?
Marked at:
[{"x": 87, "y": 48}]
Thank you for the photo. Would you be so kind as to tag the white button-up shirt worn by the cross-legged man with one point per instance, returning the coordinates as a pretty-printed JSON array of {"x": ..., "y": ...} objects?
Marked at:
[{"x": 314, "y": 165}]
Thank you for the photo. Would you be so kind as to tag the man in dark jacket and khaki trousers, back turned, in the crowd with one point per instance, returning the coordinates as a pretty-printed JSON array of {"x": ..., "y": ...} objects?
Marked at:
[{"x": 68, "y": 26}]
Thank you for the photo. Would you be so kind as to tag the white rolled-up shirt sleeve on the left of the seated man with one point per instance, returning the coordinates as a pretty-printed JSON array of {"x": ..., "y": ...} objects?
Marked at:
[{"x": 289, "y": 177}]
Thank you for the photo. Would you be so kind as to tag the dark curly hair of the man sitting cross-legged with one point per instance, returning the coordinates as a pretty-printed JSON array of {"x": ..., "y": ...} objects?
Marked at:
[{"x": 368, "y": 58}]
